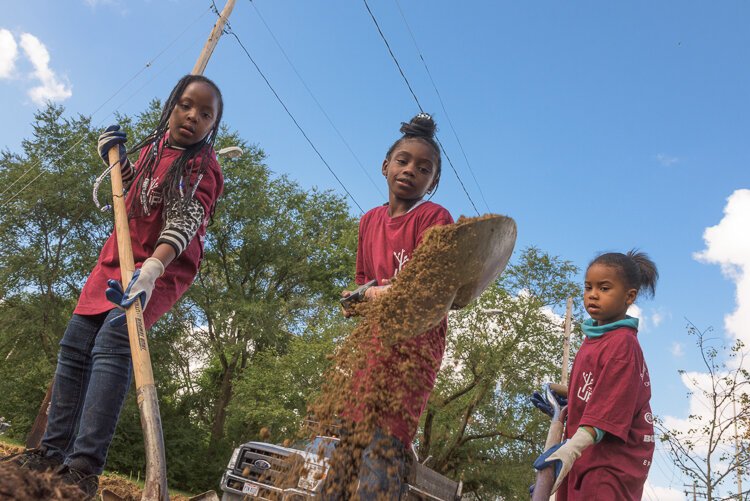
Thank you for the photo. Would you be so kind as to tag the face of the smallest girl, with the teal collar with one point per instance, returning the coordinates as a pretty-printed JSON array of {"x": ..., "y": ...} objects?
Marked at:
[{"x": 606, "y": 296}]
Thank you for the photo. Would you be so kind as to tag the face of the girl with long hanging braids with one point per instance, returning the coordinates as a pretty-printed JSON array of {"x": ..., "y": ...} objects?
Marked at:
[{"x": 194, "y": 115}]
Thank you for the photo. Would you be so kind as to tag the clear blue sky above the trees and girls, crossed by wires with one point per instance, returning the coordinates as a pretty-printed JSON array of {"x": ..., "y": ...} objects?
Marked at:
[{"x": 596, "y": 126}]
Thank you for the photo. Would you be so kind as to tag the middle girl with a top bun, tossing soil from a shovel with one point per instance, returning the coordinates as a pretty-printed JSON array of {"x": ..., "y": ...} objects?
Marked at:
[{"x": 388, "y": 235}]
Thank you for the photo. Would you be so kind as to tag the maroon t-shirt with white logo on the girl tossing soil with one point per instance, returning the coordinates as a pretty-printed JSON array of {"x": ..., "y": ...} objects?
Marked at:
[{"x": 385, "y": 246}]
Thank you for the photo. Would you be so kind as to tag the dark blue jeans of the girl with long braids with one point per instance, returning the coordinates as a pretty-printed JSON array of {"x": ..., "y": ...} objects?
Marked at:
[{"x": 92, "y": 378}]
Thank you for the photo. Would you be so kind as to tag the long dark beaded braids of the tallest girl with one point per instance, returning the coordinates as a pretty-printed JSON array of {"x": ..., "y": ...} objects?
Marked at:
[{"x": 183, "y": 176}]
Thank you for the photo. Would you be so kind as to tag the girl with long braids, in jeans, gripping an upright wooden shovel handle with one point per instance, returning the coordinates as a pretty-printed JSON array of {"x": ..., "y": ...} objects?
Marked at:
[{"x": 172, "y": 193}]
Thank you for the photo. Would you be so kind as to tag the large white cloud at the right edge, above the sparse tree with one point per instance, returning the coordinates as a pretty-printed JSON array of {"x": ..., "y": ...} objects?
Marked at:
[{"x": 728, "y": 245}]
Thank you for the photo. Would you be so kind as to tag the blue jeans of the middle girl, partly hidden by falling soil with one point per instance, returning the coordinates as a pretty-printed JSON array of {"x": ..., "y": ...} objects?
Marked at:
[{"x": 379, "y": 471}]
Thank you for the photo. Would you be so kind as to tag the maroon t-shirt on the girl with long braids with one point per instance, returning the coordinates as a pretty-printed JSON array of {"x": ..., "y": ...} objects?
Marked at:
[{"x": 144, "y": 232}]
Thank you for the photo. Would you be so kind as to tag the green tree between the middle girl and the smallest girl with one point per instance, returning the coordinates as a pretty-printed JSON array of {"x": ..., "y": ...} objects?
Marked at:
[{"x": 479, "y": 425}]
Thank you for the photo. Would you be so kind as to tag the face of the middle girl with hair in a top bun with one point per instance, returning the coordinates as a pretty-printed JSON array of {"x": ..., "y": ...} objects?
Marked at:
[{"x": 410, "y": 170}]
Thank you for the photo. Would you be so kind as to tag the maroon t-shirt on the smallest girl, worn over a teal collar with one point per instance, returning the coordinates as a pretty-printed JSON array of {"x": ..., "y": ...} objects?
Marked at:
[{"x": 610, "y": 389}]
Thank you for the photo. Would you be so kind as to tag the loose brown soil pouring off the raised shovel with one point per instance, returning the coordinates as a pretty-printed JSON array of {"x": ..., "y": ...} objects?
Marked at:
[{"x": 383, "y": 361}]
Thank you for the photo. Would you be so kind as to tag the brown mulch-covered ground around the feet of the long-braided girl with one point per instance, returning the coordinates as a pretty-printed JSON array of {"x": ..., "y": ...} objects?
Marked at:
[{"x": 23, "y": 485}]
